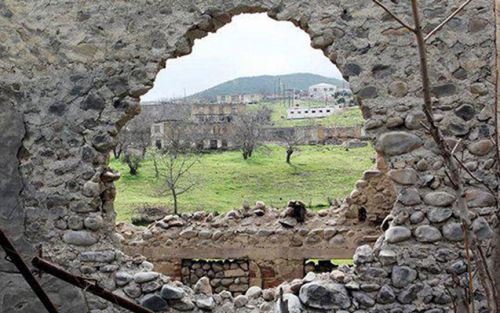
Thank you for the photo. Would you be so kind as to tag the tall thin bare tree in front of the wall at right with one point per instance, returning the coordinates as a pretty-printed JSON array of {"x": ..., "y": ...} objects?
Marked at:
[{"x": 453, "y": 166}]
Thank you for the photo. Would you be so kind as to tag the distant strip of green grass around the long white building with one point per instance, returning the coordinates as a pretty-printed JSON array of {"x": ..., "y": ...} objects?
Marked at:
[{"x": 348, "y": 117}]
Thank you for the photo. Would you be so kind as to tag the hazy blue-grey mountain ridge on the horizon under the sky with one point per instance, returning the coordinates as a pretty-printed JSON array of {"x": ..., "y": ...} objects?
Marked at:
[{"x": 267, "y": 84}]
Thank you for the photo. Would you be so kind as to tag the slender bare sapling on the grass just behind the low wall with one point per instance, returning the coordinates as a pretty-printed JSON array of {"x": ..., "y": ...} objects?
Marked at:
[{"x": 177, "y": 159}]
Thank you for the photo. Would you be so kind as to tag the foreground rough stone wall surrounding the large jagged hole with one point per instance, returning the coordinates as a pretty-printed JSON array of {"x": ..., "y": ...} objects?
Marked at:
[{"x": 74, "y": 71}]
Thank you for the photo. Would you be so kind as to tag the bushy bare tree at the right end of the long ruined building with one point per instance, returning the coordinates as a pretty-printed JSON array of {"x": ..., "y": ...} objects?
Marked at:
[{"x": 248, "y": 132}]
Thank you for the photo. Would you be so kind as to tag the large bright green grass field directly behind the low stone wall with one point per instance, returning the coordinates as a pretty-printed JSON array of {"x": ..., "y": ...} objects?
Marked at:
[{"x": 225, "y": 180}]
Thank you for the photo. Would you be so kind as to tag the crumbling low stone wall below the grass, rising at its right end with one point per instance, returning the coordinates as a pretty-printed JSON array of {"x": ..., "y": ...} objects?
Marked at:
[{"x": 269, "y": 245}]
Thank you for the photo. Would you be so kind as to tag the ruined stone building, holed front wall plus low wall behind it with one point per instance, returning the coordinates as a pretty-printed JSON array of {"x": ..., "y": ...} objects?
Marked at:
[{"x": 72, "y": 74}]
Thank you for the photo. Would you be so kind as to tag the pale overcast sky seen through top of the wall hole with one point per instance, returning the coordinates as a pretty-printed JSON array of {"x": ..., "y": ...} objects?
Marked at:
[{"x": 251, "y": 45}]
